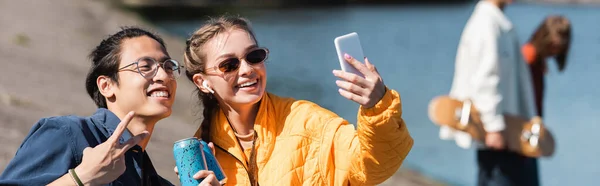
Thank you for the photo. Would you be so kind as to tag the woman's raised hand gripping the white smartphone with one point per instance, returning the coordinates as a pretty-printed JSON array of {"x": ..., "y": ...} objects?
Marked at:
[{"x": 365, "y": 91}]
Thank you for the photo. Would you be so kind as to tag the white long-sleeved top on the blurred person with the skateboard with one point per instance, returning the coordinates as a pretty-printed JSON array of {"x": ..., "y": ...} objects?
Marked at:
[{"x": 490, "y": 71}]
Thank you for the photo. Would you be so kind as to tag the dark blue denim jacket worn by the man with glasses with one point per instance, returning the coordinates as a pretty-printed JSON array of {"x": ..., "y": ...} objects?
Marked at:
[{"x": 55, "y": 144}]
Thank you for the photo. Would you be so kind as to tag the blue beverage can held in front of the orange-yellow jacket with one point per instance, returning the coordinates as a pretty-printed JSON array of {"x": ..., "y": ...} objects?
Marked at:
[{"x": 189, "y": 159}]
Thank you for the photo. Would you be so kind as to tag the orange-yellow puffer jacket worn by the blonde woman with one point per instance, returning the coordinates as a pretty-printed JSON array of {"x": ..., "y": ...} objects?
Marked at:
[{"x": 301, "y": 143}]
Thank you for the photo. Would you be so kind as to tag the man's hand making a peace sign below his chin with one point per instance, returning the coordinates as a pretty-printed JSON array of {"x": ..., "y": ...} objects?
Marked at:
[{"x": 106, "y": 162}]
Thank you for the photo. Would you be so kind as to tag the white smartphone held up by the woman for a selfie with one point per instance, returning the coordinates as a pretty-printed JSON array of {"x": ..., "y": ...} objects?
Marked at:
[{"x": 349, "y": 44}]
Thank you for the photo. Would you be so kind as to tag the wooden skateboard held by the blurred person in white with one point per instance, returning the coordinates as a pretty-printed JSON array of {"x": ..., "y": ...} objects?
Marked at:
[{"x": 527, "y": 137}]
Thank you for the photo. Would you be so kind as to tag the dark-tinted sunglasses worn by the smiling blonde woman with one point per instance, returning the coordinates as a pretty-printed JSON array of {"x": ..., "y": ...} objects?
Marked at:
[{"x": 253, "y": 57}]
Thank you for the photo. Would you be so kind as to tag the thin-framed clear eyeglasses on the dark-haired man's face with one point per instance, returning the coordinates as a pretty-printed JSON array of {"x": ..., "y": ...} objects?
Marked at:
[{"x": 148, "y": 67}]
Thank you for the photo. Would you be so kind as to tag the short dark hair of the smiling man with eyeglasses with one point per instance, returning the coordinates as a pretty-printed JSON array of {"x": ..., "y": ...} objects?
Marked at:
[{"x": 105, "y": 60}]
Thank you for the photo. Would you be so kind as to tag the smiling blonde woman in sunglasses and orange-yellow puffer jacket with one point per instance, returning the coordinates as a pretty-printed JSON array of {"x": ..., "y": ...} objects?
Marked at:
[{"x": 264, "y": 139}]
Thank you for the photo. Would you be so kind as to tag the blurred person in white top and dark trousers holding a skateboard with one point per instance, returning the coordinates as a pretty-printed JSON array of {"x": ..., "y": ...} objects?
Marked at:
[{"x": 490, "y": 72}]
